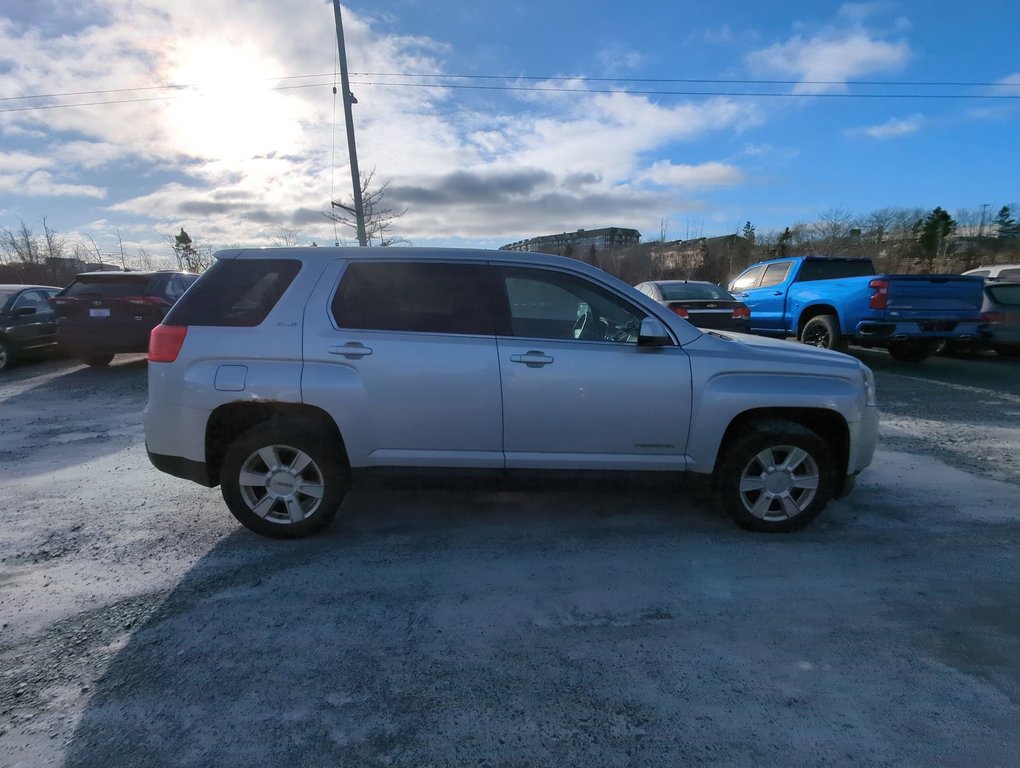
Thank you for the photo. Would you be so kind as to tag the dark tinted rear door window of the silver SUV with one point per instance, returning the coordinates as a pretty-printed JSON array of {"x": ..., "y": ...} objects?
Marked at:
[{"x": 433, "y": 298}]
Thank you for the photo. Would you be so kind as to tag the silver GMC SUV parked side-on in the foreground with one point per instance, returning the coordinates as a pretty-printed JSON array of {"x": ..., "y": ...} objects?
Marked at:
[{"x": 283, "y": 375}]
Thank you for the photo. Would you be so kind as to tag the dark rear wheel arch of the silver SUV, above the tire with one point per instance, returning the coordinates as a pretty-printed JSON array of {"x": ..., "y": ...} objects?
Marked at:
[{"x": 231, "y": 421}]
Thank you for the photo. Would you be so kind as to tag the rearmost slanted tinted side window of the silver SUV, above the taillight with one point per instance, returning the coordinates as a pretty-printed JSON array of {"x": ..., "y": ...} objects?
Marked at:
[{"x": 235, "y": 292}]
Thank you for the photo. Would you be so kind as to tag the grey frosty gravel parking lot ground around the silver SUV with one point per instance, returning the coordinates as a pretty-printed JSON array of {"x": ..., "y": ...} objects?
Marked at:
[{"x": 141, "y": 626}]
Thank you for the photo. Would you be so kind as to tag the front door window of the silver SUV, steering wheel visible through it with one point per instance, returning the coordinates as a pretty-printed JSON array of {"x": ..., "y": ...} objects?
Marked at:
[{"x": 546, "y": 304}]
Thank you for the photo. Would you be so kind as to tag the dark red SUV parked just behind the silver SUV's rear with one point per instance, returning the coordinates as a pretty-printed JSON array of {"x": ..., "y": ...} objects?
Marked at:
[{"x": 100, "y": 315}]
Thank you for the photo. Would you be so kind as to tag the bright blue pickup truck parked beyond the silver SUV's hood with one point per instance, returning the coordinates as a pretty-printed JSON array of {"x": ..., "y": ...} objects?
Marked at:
[{"x": 834, "y": 302}]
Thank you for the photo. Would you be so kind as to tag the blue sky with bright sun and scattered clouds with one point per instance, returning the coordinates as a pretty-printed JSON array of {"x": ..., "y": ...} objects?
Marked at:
[{"x": 495, "y": 122}]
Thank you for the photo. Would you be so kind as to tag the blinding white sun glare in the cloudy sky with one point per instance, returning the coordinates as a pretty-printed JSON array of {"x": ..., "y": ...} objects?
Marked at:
[{"x": 227, "y": 110}]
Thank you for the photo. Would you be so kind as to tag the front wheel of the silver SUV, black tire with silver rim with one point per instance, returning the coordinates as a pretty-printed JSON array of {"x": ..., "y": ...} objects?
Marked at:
[{"x": 776, "y": 478}]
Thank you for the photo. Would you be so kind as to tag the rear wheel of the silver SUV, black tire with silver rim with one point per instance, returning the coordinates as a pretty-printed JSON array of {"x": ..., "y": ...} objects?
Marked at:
[{"x": 285, "y": 481}]
